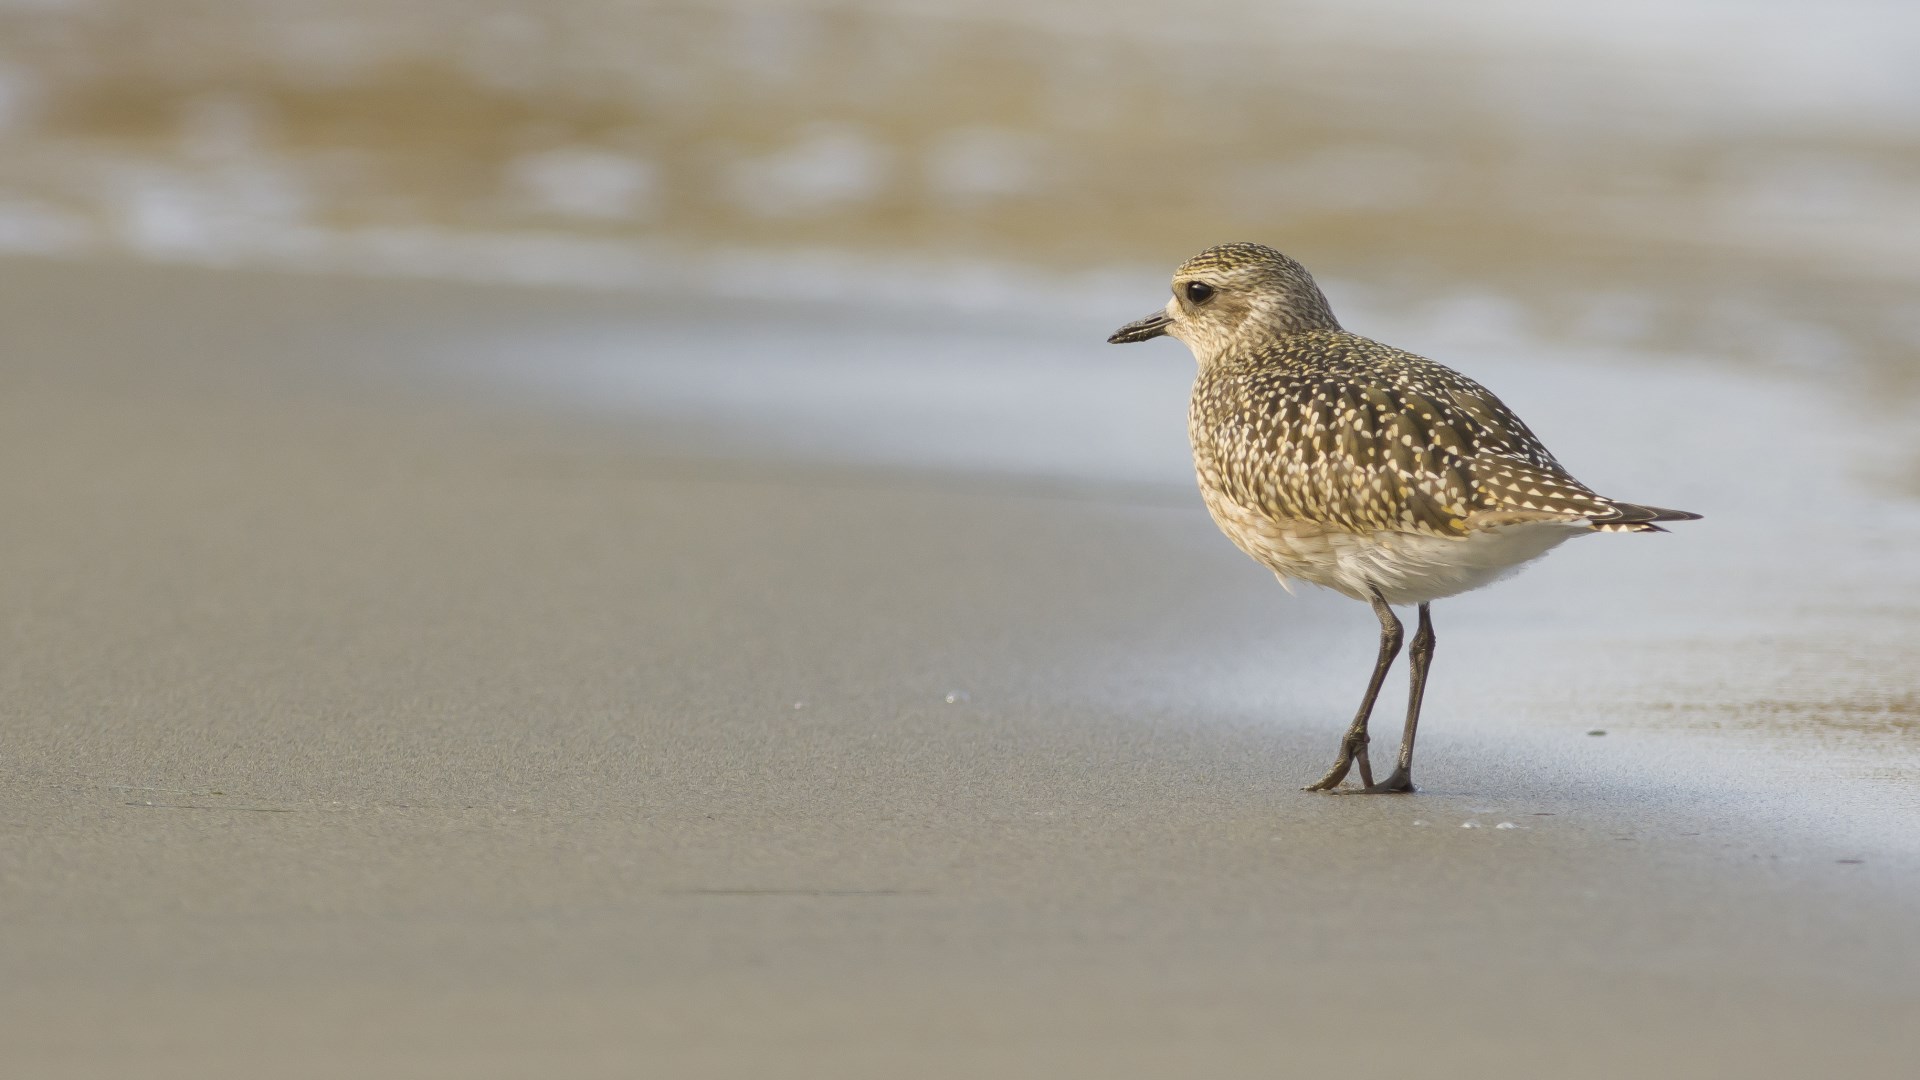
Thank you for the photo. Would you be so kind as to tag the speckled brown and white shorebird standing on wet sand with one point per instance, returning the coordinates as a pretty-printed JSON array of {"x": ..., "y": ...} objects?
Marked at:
[{"x": 1355, "y": 466}]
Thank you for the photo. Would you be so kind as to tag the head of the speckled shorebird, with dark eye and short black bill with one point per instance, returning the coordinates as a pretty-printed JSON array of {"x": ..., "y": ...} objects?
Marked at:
[{"x": 1236, "y": 295}]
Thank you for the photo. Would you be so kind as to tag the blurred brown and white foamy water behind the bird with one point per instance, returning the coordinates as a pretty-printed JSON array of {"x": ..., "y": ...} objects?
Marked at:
[{"x": 1733, "y": 180}]
